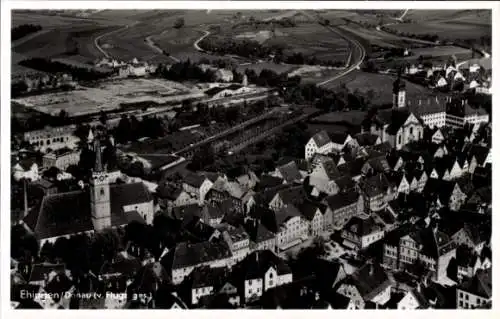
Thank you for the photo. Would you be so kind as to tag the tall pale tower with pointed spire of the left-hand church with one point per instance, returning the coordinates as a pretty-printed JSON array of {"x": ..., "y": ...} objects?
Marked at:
[{"x": 99, "y": 192}]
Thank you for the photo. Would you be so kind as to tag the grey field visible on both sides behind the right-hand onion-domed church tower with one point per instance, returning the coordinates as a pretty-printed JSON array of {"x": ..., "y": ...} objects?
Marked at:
[{"x": 379, "y": 84}]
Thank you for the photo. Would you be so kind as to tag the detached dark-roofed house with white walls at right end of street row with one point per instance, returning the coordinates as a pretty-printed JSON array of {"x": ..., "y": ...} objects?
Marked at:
[{"x": 362, "y": 232}]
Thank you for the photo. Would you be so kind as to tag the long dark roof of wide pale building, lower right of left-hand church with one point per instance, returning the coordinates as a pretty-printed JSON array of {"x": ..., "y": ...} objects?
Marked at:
[{"x": 187, "y": 254}]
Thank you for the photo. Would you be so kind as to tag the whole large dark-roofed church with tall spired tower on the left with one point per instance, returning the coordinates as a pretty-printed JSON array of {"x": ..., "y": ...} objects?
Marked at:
[{"x": 99, "y": 206}]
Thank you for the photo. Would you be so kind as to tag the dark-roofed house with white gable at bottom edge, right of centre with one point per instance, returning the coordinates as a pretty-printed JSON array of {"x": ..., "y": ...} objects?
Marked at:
[{"x": 370, "y": 283}]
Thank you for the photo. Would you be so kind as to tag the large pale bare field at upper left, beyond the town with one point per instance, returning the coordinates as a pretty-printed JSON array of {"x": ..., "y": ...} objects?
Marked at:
[{"x": 108, "y": 96}]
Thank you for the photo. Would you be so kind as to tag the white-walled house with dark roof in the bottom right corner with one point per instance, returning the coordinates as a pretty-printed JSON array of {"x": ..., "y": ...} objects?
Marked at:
[{"x": 475, "y": 292}]
